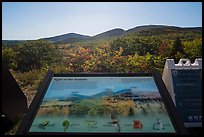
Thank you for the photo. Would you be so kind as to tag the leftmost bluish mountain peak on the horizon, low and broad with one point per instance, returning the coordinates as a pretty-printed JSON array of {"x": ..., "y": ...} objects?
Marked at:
[{"x": 67, "y": 38}]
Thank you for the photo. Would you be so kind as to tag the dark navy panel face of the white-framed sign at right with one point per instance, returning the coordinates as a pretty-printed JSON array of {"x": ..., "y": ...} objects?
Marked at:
[{"x": 188, "y": 94}]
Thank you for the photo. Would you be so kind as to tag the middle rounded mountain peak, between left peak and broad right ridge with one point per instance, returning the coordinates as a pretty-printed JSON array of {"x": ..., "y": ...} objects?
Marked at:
[{"x": 109, "y": 34}]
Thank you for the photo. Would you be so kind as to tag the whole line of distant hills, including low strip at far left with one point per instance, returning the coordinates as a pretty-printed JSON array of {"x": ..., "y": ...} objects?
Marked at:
[{"x": 145, "y": 30}]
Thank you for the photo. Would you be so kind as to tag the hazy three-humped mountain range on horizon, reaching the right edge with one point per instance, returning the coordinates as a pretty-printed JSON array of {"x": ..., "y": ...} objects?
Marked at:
[{"x": 118, "y": 32}]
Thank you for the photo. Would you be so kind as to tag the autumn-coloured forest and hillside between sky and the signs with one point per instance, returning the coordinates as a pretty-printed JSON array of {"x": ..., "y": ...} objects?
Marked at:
[{"x": 141, "y": 49}]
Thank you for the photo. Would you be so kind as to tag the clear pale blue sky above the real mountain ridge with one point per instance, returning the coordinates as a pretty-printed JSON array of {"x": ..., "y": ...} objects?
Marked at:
[{"x": 34, "y": 20}]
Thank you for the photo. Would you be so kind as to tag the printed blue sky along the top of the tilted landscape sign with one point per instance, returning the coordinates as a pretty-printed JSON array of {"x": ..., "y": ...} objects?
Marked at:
[{"x": 95, "y": 85}]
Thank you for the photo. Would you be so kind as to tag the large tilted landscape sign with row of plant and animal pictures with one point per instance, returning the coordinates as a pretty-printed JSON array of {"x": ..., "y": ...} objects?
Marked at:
[{"x": 102, "y": 103}]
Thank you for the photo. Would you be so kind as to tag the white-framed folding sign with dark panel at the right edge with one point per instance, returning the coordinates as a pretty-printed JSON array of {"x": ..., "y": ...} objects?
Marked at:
[{"x": 186, "y": 89}]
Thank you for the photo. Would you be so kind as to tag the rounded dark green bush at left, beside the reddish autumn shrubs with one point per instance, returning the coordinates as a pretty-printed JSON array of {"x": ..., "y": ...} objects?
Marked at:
[{"x": 36, "y": 54}]
